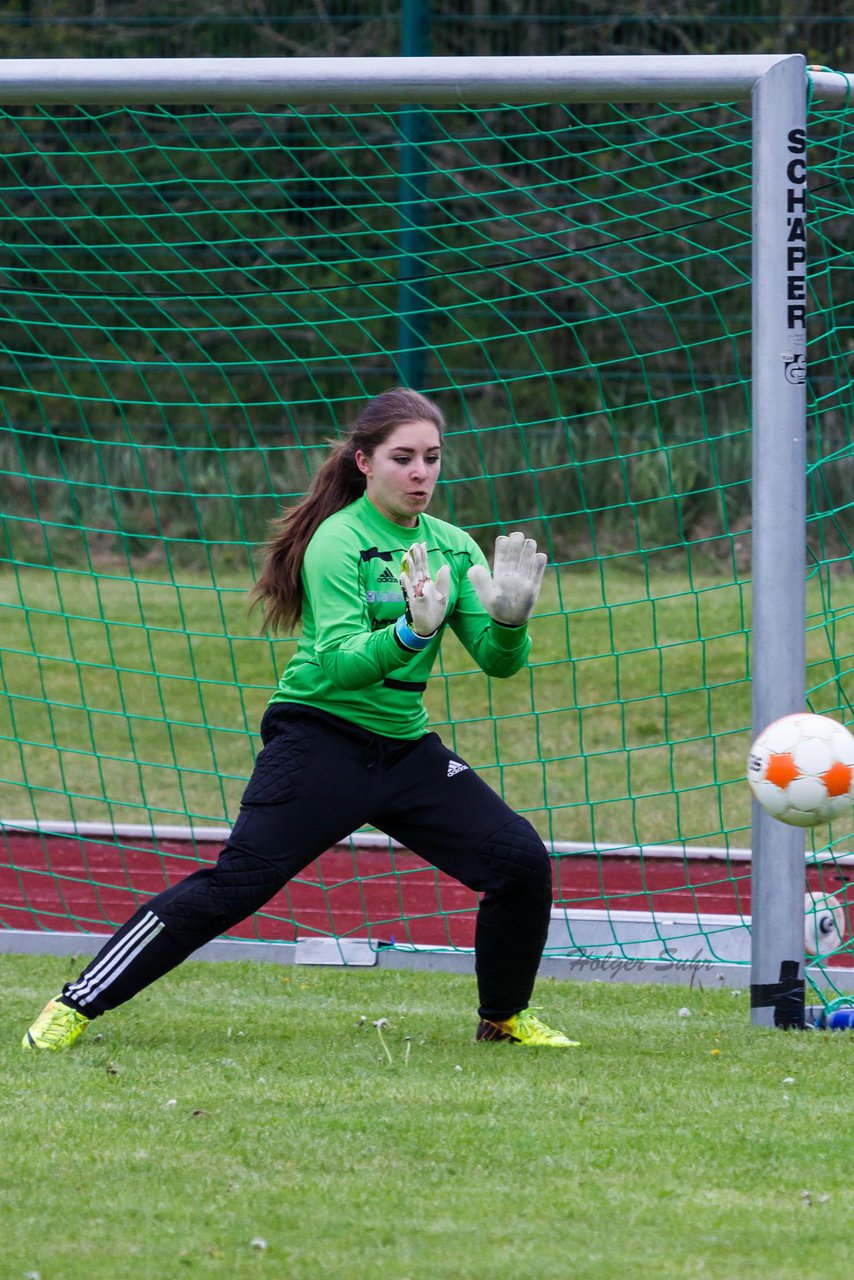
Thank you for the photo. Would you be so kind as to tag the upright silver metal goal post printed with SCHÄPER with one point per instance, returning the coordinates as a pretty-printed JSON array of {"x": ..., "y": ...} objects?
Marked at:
[{"x": 779, "y": 624}]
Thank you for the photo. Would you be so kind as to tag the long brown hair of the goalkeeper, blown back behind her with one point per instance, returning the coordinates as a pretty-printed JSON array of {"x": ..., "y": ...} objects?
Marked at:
[{"x": 336, "y": 486}]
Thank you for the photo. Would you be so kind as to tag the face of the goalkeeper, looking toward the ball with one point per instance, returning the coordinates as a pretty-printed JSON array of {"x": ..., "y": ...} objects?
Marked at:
[{"x": 403, "y": 472}]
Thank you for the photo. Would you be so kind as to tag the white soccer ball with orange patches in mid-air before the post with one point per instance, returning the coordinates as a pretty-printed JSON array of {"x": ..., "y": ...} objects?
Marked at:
[{"x": 802, "y": 770}]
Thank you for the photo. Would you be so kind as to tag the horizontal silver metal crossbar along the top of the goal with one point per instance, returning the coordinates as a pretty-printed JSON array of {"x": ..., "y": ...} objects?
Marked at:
[{"x": 299, "y": 81}]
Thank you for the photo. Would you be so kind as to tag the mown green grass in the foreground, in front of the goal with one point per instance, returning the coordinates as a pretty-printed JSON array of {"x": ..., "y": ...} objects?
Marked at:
[{"x": 236, "y": 1104}]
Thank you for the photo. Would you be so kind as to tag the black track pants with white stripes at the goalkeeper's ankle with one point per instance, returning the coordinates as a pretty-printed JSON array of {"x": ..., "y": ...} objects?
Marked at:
[{"x": 317, "y": 780}]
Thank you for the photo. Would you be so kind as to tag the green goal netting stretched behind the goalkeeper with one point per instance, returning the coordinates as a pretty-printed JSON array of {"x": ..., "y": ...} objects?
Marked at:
[{"x": 195, "y": 300}]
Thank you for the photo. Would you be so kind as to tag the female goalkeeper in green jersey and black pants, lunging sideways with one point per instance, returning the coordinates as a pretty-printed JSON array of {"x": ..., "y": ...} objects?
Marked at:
[{"x": 376, "y": 582}]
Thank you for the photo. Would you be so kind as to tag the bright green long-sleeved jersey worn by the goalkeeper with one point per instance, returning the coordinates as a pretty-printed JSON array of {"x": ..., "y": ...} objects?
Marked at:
[{"x": 349, "y": 660}]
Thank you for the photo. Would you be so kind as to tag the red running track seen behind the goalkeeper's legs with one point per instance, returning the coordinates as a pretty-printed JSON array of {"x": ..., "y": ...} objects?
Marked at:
[{"x": 72, "y": 884}]
